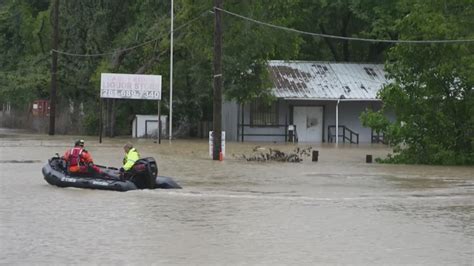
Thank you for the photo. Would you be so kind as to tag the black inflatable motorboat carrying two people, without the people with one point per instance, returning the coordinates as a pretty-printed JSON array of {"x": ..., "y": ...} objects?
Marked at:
[{"x": 146, "y": 177}]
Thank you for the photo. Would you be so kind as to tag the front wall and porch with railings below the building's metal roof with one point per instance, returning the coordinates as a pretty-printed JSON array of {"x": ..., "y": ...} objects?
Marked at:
[{"x": 315, "y": 121}]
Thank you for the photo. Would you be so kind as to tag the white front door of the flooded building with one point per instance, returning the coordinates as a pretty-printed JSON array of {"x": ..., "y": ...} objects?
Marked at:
[{"x": 309, "y": 123}]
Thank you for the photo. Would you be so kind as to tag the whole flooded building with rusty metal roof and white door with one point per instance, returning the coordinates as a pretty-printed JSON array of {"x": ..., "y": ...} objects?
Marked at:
[{"x": 312, "y": 97}]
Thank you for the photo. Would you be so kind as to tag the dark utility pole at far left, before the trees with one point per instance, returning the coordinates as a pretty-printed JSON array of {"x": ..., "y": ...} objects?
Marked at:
[{"x": 54, "y": 67}]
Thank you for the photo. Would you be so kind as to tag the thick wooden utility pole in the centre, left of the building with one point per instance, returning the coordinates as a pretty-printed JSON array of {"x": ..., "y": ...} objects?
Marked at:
[{"x": 217, "y": 111}]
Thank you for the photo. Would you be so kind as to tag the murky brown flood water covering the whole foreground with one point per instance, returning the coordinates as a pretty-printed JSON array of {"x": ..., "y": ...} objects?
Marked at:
[{"x": 339, "y": 210}]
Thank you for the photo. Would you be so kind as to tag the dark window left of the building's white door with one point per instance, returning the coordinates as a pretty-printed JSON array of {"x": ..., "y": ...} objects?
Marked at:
[{"x": 263, "y": 114}]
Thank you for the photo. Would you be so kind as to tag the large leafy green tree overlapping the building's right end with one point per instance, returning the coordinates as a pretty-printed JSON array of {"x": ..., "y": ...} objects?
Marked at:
[{"x": 432, "y": 91}]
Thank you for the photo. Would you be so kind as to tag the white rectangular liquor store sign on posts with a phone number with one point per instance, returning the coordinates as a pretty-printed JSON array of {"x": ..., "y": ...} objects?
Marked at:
[{"x": 130, "y": 86}]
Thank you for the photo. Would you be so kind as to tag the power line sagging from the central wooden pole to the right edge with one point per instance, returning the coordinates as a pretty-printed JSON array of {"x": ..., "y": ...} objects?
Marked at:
[{"x": 342, "y": 37}]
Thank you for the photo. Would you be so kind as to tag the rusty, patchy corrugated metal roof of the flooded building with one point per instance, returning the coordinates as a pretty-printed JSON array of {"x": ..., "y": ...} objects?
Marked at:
[{"x": 325, "y": 80}]
